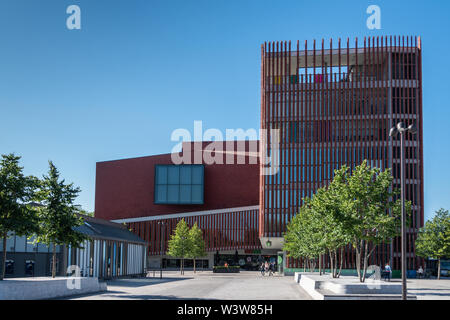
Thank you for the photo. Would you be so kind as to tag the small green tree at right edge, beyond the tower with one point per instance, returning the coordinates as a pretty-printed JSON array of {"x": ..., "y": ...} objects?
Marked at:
[{"x": 433, "y": 240}]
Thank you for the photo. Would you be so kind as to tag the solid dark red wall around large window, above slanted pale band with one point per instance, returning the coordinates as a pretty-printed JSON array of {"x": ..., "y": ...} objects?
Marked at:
[{"x": 125, "y": 188}]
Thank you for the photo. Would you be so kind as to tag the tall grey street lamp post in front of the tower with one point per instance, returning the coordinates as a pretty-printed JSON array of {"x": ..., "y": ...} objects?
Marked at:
[{"x": 400, "y": 128}]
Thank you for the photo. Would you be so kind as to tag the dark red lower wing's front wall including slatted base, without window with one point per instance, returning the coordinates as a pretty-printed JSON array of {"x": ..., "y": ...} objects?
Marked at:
[{"x": 228, "y": 217}]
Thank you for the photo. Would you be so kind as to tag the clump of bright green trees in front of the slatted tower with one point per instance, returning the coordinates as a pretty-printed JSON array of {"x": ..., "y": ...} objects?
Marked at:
[{"x": 356, "y": 208}]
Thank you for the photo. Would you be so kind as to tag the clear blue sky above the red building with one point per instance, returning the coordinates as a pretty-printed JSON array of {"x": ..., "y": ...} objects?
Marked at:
[{"x": 137, "y": 70}]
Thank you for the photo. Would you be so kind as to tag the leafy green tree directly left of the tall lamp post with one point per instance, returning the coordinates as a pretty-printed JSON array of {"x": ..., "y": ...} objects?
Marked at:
[{"x": 368, "y": 213}]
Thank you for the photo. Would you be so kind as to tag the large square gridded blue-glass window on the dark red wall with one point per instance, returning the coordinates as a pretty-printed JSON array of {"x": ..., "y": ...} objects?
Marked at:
[{"x": 179, "y": 184}]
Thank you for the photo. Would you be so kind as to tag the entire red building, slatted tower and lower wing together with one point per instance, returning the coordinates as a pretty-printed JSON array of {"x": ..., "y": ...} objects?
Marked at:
[{"x": 332, "y": 105}]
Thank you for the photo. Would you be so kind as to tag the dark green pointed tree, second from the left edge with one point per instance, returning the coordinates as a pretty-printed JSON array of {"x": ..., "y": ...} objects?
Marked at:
[{"x": 58, "y": 216}]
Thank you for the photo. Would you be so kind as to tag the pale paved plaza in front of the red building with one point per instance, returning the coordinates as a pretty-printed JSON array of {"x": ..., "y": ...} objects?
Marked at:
[{"x": 245, "y": 285}]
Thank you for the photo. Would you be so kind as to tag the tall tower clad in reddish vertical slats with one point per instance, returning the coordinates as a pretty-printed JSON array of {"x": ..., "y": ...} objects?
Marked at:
[{"x": 332, "y": 106}]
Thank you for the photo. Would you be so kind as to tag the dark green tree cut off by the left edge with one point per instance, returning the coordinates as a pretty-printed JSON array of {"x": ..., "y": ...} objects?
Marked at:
[{"x": 16, "y": 192}]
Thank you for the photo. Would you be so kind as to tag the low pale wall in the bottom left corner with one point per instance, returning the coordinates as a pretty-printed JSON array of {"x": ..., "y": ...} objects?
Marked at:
[{"x": 48, "y": 288}]
